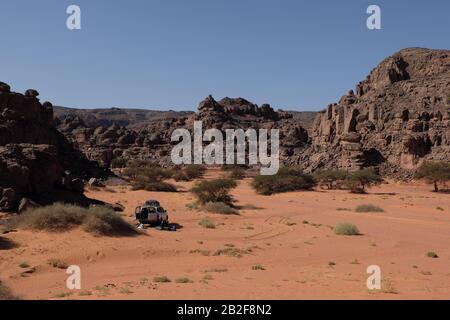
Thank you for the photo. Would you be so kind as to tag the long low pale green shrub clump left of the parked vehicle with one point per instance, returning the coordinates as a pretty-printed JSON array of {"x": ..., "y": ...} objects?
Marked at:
[{"x": 98, "y": 220}]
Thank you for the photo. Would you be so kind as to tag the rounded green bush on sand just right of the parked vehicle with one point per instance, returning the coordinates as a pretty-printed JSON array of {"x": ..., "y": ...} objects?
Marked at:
[{"x": 214, "y": 191}]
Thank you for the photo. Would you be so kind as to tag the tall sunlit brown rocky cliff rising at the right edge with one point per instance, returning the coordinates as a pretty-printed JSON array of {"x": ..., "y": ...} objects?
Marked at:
[{"x": 398, "y": 117}]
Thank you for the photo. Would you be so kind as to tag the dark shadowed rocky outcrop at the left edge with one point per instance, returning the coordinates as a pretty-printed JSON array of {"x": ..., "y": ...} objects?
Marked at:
[{"x": 34, "y": 157}]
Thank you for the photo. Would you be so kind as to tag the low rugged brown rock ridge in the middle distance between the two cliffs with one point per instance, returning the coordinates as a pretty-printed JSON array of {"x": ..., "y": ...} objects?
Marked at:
[{"x": 153, "y": 141}]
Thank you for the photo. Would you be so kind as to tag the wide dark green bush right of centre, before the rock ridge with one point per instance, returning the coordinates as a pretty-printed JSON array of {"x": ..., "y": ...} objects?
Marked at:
[{"x": 287, "y": 179}]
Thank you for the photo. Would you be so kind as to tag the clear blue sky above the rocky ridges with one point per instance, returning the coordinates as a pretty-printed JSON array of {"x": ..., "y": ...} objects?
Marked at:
[{"x": 160, "y": 54}]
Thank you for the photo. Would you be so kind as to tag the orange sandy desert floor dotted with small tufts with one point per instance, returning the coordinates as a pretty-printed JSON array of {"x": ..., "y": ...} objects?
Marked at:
[{"x": 289, "y": 235}]
